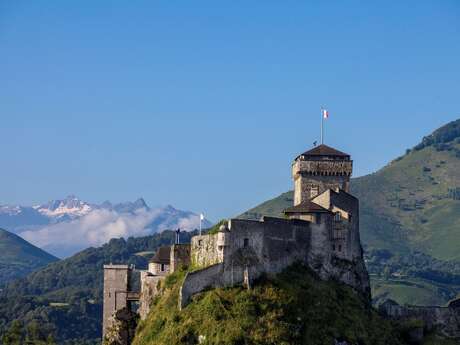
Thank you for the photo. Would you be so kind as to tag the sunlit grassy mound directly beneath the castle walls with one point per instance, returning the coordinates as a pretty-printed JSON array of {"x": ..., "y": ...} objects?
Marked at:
[{"x": 293, "y": 308}]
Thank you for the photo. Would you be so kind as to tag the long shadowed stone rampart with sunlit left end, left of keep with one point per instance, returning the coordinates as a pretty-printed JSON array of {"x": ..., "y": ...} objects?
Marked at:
[{"x": 256, "y": 247}]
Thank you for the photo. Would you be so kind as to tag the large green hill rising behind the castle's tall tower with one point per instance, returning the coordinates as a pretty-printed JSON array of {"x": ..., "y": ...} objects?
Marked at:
[{"x": 410, "y": 206}]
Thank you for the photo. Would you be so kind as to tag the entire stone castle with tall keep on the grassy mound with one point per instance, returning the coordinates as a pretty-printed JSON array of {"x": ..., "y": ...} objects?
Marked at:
[{"x": 321, "y": 230}]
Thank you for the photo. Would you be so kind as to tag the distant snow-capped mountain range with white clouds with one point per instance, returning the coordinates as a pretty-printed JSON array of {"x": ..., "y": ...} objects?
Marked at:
[{"x": 63, "y": 227}]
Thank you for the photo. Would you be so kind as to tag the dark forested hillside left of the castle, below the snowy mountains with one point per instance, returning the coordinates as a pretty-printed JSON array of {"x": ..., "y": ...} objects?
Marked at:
[{"x": 65, "y": 297}]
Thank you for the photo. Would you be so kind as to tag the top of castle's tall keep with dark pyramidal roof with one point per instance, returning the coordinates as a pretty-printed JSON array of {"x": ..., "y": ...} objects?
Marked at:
[{"x": 318, "y": 170}]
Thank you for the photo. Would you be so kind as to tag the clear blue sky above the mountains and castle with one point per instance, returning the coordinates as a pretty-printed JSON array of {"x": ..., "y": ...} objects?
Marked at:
[{"x": 203, "y": 104}]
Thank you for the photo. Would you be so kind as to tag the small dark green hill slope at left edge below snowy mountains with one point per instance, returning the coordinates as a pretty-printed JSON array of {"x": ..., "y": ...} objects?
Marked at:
[{"x": 18, "y": 257}]
